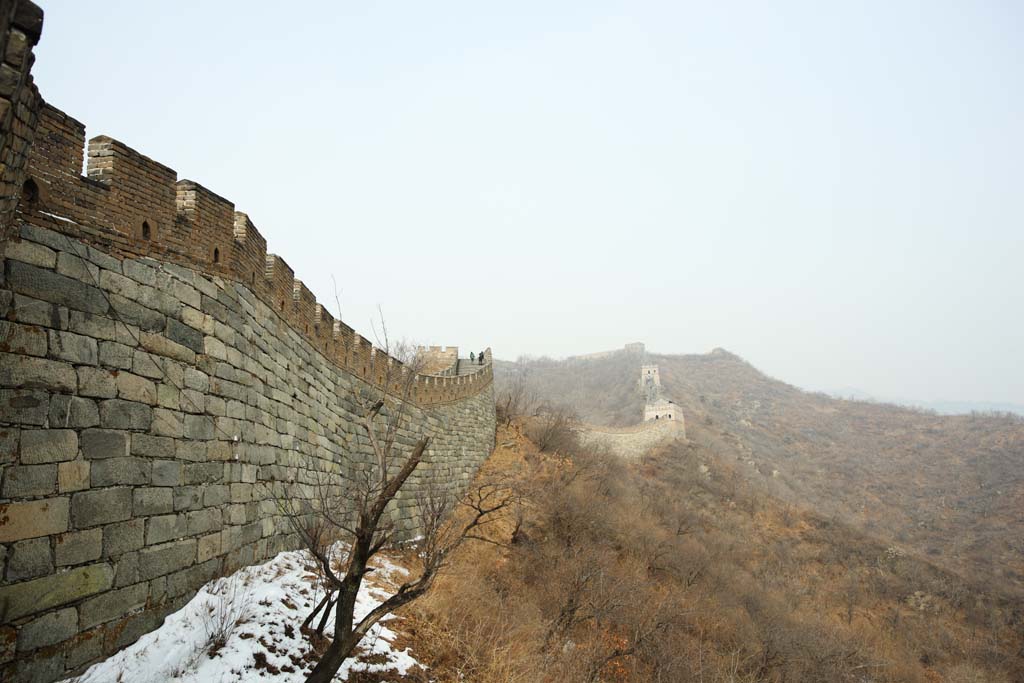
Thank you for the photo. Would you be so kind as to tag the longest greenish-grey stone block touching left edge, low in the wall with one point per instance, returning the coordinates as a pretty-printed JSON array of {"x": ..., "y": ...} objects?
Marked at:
[{"x": 42, "y": 594}]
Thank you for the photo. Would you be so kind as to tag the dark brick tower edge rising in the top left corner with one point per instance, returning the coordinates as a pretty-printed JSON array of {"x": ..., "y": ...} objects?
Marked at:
[{"x": 21, "y": 25}]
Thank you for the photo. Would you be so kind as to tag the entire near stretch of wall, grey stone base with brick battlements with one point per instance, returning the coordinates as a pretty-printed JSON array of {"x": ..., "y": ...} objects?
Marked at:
[{"x": 159, "y": 372}]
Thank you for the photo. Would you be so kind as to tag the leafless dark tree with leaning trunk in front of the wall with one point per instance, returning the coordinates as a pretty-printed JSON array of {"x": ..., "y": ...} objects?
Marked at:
[{"x": 353, "y": 509}]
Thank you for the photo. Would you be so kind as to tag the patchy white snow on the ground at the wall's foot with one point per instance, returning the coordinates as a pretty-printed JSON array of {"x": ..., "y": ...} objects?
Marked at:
[{"x": 266, "y": 605}]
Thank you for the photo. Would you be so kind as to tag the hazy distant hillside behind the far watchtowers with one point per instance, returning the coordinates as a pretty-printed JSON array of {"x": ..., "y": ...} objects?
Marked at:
[{"x": 949, "y": 488}]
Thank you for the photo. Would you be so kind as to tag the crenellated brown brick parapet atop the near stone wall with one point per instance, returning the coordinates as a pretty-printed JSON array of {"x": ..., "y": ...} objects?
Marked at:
[{"x": 130, "y": 205}]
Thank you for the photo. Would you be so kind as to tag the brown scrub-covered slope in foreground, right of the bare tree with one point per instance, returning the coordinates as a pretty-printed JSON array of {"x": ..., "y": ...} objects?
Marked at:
[{"x": 654, "y": 571}]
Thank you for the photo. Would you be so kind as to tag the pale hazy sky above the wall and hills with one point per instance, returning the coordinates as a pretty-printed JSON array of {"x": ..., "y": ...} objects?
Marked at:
[{"x": 834, "y": 193}]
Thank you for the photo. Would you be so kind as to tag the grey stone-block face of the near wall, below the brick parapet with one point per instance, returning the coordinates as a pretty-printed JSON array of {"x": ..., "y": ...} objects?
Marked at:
[{"x": 145, "y": 410}]
